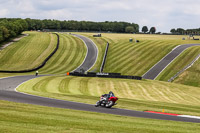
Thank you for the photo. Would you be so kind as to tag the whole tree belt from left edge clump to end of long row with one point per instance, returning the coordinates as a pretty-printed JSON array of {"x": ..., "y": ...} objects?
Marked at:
[{"x": 11, "y": 27}]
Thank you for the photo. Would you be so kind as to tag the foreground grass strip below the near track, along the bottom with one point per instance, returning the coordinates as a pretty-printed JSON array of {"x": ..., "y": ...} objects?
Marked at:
[{"x": 19, "y": 118}]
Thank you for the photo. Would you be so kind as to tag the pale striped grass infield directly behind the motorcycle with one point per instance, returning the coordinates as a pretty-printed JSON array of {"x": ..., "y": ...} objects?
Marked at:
[{"x": 133, "y": 94}]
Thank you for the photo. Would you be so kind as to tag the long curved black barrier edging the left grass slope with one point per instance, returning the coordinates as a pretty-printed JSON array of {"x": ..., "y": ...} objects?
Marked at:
[{"x": 40, "y": 66}]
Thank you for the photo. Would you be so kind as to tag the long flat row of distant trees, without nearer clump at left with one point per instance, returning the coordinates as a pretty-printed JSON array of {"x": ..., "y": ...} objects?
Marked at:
[{"x": 119, "y": 27}]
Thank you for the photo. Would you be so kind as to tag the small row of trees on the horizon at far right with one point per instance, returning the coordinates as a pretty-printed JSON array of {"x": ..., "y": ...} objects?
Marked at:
[{"x": 181, "y": 31}]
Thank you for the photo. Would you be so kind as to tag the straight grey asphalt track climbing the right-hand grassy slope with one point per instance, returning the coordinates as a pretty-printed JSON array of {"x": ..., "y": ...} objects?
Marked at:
[{"x": 163, "y": 63}]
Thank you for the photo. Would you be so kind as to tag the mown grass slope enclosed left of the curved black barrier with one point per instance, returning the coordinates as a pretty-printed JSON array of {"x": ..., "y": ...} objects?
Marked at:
[{"x": 28, "y": 52}]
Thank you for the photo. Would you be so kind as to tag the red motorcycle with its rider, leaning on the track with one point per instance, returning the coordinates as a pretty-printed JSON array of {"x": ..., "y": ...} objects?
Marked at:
[{"x": 107, "y": 103}]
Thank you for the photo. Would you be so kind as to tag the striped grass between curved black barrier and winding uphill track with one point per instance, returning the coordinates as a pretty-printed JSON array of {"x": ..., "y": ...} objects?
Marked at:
[{"x": 70, "y": 55}]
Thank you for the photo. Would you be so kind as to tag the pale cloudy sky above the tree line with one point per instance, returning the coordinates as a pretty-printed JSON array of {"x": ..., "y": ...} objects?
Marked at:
[{"x": 162, "y": 14}]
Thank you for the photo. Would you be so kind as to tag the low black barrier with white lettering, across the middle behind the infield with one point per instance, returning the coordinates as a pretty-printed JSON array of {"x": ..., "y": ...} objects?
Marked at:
[{"x": 105, "y": 75}]
